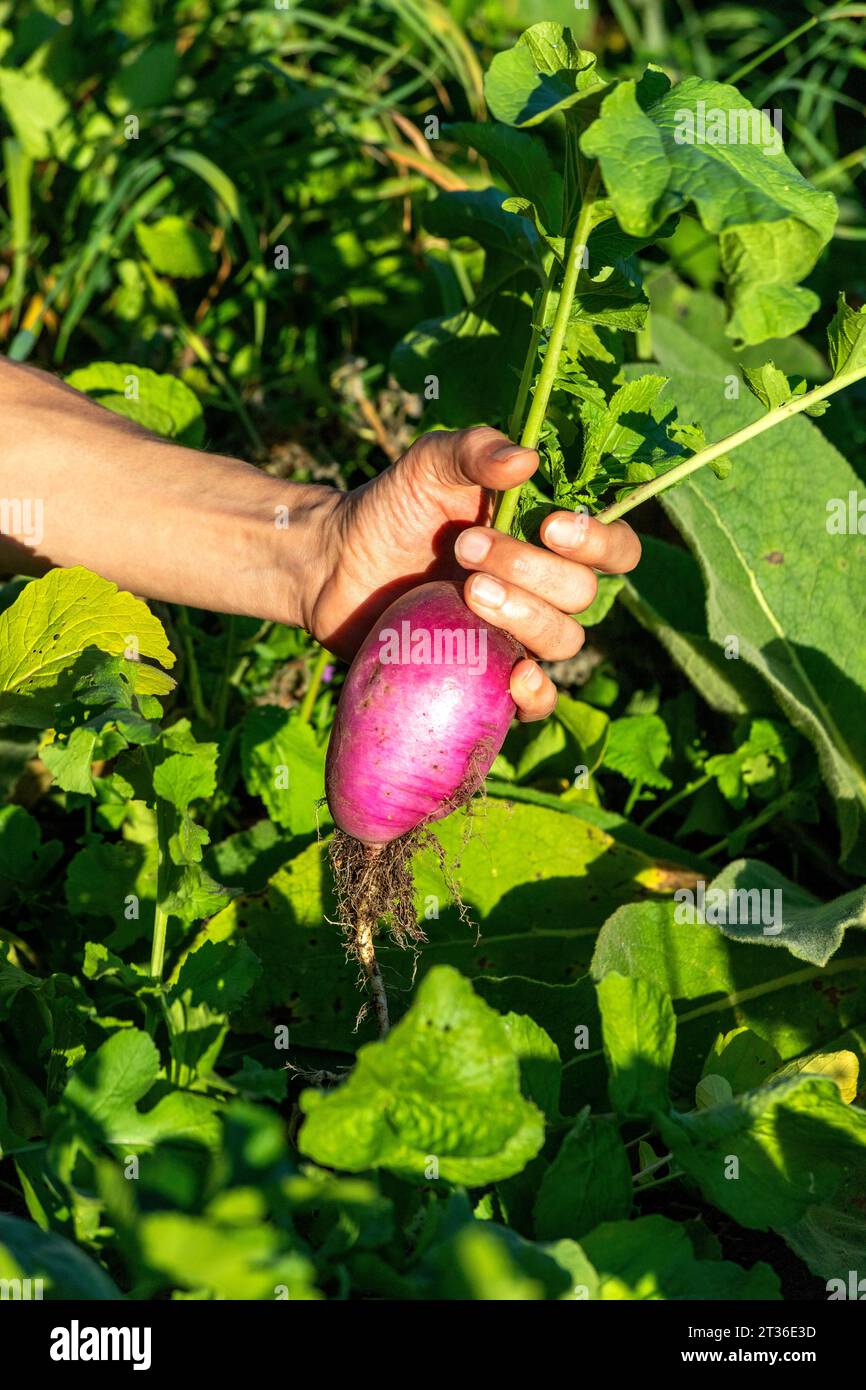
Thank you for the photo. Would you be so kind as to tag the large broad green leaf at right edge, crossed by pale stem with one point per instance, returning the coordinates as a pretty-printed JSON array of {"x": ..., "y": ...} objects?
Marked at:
[{"x": 789, "y": 591}]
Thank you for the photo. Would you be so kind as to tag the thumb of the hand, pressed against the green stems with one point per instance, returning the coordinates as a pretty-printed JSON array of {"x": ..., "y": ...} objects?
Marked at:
[{"x": 479, "y": 458}]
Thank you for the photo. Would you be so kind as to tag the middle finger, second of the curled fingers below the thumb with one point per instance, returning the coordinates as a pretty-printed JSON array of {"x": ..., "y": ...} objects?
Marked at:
[{"x": 566, "y": 586}]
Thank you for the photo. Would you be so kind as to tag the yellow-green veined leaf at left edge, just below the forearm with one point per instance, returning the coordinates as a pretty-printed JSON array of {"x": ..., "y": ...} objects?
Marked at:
[{"x": 56, "y": 632}]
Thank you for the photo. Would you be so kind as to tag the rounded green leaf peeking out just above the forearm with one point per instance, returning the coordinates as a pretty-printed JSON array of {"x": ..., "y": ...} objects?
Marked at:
[{"x": 152, "y": 400}]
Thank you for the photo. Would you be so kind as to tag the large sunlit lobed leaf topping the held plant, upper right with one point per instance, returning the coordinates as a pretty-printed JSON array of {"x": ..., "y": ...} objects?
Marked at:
[{"x": 771, "y": 223}]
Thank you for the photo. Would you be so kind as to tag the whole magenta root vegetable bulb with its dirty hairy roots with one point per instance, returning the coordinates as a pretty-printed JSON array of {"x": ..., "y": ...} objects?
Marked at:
[{"x": 425, "y": 711}]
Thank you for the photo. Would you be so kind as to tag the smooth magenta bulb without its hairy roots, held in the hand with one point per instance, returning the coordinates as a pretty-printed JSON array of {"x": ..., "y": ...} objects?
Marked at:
[{"x": 423, "y": 714}]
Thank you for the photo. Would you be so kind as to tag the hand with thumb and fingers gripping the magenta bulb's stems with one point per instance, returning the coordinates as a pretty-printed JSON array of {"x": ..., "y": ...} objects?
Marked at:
[{"x": 427, "y": 519}]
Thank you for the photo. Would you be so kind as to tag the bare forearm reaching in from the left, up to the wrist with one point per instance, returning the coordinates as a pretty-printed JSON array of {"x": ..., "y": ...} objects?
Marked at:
[{"x": 84, "y": 487}]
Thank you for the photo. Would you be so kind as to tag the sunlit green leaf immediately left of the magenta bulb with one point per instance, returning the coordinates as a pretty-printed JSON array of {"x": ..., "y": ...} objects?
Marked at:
[{"x": 284, "y": 764}]
